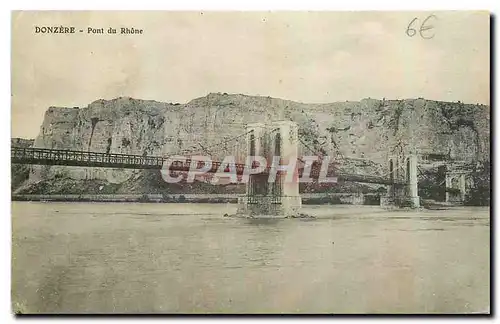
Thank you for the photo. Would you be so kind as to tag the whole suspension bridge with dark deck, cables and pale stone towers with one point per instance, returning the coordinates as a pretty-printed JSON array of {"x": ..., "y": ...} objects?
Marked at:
[{"x": 279, "y": 139}]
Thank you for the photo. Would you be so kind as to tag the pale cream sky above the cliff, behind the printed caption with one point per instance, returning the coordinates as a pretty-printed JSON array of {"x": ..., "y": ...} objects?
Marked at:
[{"x": 303, "y": 56}]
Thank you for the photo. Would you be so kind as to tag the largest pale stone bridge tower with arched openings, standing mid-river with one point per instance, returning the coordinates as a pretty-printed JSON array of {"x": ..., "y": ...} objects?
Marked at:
[{"x": 272, "y": 193}]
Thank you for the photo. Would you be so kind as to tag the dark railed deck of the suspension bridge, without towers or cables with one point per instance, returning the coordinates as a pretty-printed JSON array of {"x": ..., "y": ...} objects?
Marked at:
[{"x": 41, "y": 156}]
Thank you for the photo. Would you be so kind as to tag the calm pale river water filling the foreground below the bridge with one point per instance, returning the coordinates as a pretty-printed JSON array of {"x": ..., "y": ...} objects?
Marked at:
[{"x": 187, "y": 258}]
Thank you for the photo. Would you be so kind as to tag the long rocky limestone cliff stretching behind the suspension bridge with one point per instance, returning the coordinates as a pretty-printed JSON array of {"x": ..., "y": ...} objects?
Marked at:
[{"x": 365, "y": 129}]
